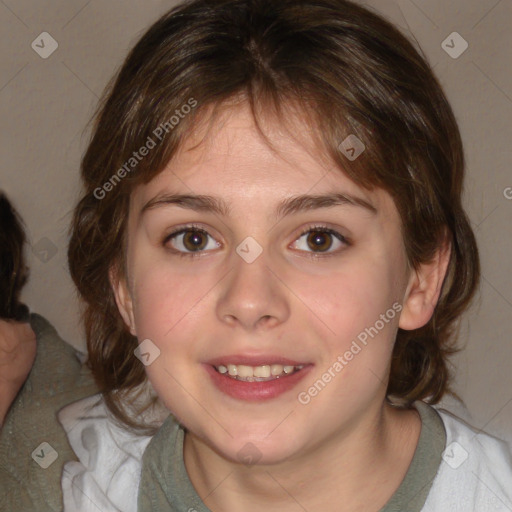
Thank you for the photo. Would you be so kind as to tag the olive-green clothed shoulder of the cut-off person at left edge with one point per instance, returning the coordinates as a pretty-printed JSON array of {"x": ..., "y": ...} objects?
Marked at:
[{"x": 56, "y": 379}]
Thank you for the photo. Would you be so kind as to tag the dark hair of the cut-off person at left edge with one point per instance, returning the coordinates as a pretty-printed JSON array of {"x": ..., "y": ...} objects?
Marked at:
[{"x": 13, "y": 271}]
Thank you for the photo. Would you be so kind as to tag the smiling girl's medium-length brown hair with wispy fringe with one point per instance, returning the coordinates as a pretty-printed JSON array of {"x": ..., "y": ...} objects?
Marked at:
[{"x": 349, "y": 72}]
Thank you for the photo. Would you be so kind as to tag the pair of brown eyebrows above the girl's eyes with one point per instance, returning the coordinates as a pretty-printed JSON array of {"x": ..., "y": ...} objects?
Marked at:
[{"x": 288, "y": 206}]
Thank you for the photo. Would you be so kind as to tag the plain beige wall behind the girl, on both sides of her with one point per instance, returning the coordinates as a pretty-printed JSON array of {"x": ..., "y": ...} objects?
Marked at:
[{"x": 45, "y": 104}]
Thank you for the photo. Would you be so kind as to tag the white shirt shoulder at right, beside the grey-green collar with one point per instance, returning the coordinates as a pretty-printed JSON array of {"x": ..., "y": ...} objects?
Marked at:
[{"x": 475, "y": 473}]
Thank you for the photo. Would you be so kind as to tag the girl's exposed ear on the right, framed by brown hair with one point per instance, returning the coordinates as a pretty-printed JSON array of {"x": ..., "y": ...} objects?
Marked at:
[{"x": 424, "y": 288}]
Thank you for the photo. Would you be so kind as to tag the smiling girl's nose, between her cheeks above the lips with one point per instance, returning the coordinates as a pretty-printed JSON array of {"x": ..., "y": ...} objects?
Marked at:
[{"x": 252, "y": 296}]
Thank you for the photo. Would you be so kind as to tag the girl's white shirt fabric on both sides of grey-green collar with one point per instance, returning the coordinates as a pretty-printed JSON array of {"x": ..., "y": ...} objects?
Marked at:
[{"x": 475, "y": 474}]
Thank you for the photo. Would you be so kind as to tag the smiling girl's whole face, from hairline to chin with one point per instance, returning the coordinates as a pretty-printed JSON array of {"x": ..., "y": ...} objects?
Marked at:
[{"x": 251, "y": 274}]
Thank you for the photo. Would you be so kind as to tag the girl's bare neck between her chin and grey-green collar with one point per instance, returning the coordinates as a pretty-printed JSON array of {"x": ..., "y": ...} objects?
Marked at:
[{"x": 371, "y": 455}]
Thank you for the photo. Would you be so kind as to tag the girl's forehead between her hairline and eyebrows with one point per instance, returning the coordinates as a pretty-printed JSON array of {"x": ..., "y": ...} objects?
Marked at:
[{"x": 230, "y": 159}]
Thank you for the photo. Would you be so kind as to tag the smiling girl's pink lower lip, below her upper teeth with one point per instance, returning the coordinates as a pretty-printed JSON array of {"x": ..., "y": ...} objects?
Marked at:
[{"x": 256, "y": 391}]
